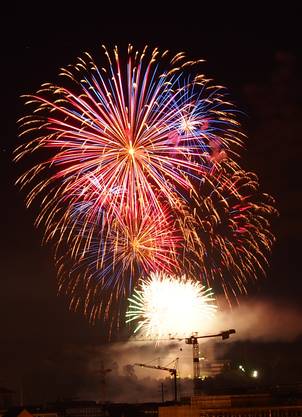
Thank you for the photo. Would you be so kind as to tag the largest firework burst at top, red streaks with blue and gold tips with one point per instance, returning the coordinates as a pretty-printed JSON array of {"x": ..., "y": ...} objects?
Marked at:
[{"x": 123, "y": 136}]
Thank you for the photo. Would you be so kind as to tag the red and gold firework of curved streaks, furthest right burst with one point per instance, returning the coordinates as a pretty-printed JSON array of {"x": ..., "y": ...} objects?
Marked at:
[{"x": 229, "y": 238}]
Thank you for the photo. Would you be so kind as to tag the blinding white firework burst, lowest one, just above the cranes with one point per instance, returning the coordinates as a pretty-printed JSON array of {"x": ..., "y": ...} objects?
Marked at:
[{"x": 170, "y": 306}]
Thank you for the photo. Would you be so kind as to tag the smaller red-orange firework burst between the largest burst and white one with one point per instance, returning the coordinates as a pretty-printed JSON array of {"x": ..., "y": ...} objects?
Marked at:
[{"x": 111, "y": 258}]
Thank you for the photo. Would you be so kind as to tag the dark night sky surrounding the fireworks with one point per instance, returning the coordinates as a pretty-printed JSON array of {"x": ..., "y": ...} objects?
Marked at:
[{"x": 255, "y": 53}]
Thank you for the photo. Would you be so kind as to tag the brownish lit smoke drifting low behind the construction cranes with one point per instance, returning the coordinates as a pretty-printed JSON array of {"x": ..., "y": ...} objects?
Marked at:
[{"x": 108, "y": 372}]
